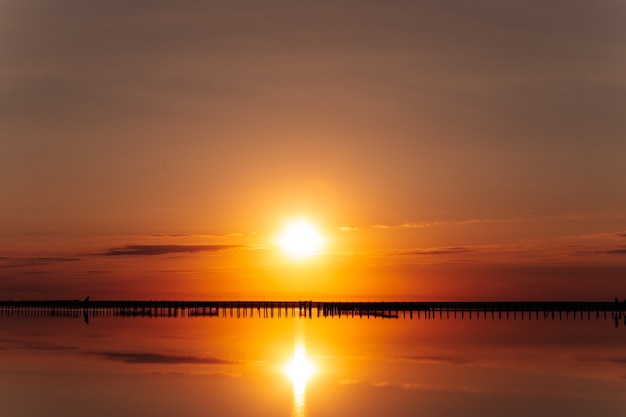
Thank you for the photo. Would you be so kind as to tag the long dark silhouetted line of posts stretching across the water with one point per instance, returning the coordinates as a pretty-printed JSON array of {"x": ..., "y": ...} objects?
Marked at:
[{"x": 516, "y": 310}]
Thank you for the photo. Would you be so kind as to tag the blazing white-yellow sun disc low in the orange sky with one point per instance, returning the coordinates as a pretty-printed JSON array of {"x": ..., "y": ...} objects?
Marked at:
[{"x": 300, "y": 239}]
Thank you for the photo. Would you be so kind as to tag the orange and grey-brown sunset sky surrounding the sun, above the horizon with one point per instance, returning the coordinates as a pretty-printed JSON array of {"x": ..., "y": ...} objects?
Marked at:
[{"x": 446, "y": 149}]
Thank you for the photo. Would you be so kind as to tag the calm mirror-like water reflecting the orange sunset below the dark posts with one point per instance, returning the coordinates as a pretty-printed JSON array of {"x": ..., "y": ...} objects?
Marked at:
[{"x": 310, "y": 367}]
